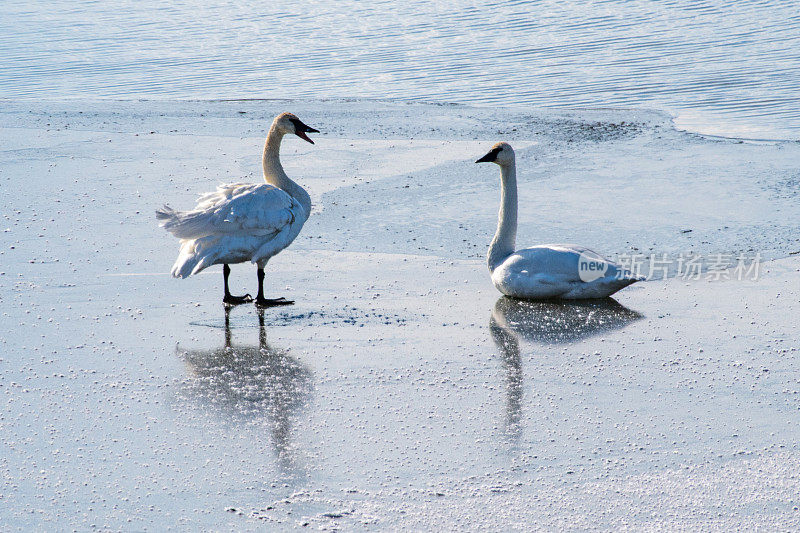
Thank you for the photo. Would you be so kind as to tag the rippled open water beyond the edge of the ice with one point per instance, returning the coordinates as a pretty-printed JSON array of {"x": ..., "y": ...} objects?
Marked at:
[{"x": 726, "y": 67}]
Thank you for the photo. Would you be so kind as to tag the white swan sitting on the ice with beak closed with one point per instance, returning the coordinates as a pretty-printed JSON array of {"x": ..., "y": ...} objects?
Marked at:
[{"x": 547, "y": 271}]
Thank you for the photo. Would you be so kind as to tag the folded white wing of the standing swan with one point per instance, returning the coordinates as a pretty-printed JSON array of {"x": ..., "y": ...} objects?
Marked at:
[{"x": 243, "y": 209}]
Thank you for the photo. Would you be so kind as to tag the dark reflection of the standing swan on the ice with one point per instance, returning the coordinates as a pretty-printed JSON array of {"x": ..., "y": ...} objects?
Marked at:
[{"x": 252, "y": 384}]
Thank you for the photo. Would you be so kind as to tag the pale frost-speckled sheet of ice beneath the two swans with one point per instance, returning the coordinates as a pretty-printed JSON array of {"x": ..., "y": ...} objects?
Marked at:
[{"x": 401, "y": 392}]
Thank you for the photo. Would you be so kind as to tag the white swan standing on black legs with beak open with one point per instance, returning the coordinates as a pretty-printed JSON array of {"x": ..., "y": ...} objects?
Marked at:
[{"x": 244, "y": 221}]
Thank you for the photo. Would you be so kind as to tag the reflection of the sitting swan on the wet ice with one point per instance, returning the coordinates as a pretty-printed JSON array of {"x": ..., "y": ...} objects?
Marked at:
[{"x": 545, "y": 322}]
